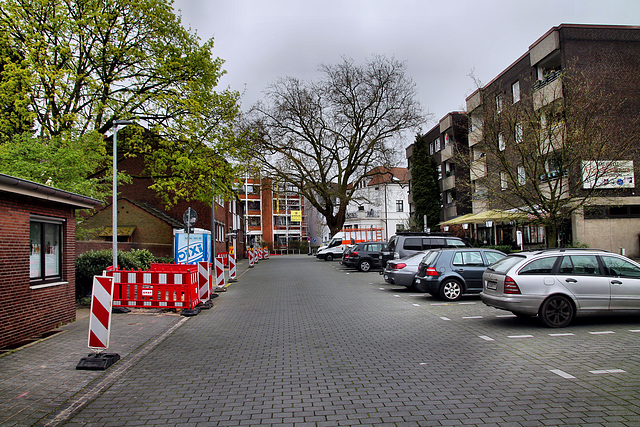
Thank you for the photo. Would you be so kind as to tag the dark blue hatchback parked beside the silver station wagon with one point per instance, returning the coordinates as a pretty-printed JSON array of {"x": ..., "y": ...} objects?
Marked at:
[{"x": 450, "y": 273}]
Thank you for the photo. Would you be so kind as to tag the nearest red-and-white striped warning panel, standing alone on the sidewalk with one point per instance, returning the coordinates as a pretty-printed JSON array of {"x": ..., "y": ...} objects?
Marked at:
[{"x": 100, "y": 320}]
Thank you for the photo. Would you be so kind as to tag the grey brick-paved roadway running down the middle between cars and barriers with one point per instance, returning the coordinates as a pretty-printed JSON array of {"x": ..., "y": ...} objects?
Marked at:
[{"x": 303, "y": 342}]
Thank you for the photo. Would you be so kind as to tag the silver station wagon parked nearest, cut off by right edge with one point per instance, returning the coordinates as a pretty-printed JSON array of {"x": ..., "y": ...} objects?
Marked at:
[{"x": 558, "y": 285}]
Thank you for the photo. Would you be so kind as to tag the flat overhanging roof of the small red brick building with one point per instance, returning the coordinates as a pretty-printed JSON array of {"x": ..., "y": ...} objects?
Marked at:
[{"x": 13, "y": 185}]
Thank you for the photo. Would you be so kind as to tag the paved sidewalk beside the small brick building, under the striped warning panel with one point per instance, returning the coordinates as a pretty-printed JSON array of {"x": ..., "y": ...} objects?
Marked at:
[{"x": 39, "y": 383}]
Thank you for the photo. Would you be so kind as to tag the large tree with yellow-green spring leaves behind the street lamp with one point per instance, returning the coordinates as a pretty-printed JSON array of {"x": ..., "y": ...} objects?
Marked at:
[{"x": 94, "y": 61}]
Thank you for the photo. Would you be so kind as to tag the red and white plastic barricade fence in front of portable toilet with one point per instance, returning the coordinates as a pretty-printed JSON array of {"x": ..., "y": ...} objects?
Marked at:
[{"x": 155, "y": 289}]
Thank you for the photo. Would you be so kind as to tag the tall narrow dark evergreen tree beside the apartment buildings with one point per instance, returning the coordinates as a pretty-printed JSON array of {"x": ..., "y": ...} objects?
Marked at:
[{"x": 425, "y": 191}]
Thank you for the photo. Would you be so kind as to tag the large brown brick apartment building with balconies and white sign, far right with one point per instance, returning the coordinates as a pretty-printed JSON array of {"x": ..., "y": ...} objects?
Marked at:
[{"x": 546, "y": 82}]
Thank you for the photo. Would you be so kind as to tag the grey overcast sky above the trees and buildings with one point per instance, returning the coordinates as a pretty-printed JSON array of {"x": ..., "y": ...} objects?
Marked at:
[{"x": 442, "y": 42}]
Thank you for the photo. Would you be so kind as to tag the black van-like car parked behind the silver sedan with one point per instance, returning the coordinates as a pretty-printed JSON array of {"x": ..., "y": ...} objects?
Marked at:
[{"x": 405, "y": 244}]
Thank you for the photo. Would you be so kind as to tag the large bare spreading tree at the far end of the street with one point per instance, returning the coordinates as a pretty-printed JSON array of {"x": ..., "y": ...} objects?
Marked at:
[{"x": 324, "y": 136}]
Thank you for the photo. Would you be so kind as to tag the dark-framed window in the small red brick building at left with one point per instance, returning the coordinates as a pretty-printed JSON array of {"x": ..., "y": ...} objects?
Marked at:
[{"x": 46, "y": 249}]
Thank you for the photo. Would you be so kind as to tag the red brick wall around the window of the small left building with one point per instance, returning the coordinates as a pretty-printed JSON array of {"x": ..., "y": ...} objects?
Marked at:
[{"x": 26, "y": 312}]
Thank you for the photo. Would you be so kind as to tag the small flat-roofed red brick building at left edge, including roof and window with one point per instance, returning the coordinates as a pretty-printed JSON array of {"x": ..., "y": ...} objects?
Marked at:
[{"x": 37, "y": 258}]
